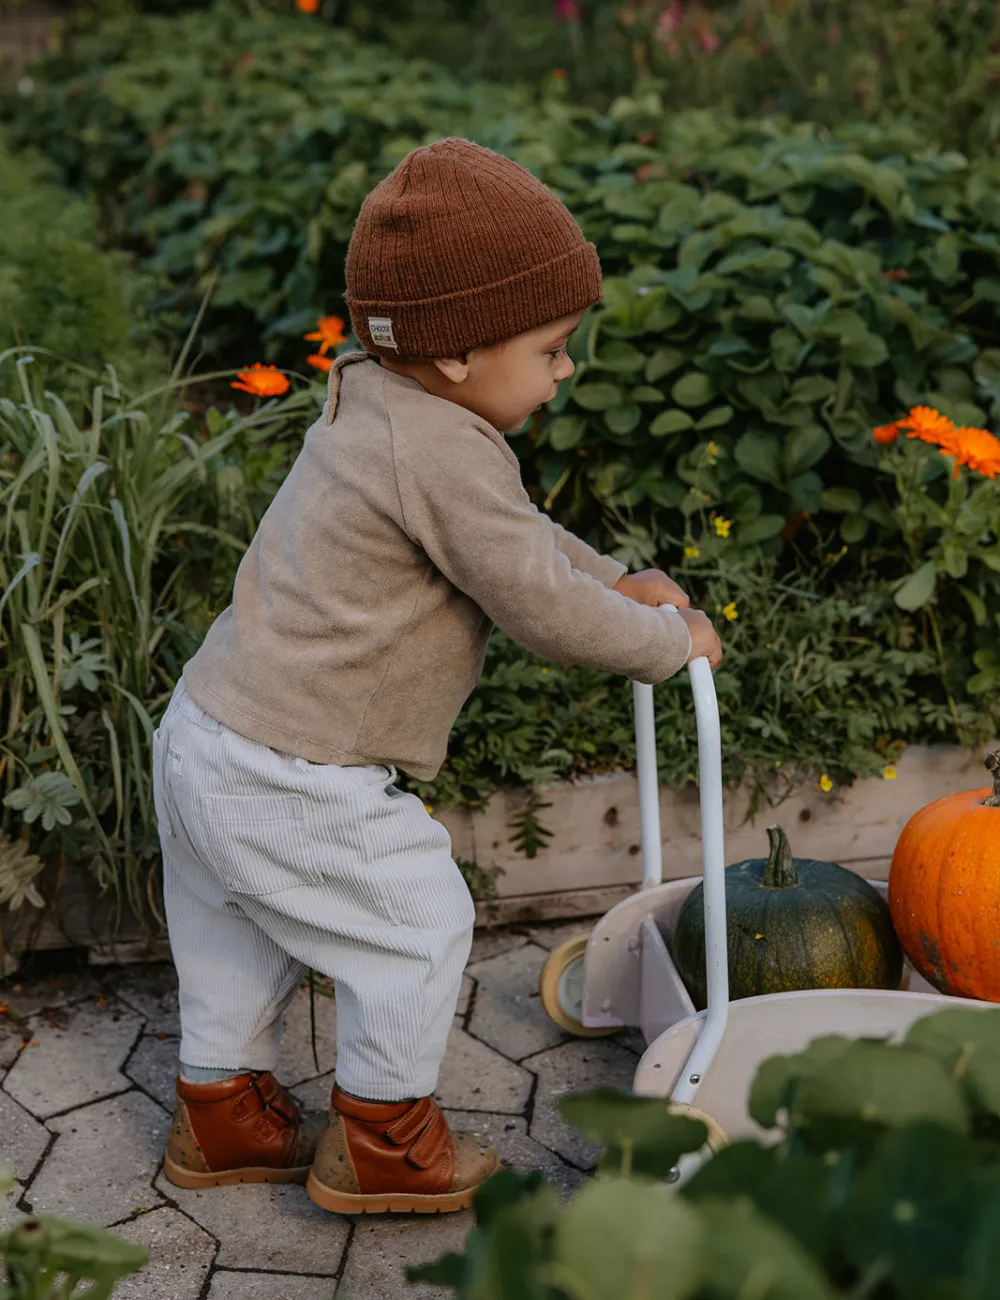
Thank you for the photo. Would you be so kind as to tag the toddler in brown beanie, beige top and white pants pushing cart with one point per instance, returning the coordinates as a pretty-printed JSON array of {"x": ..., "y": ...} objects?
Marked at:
[{"x": 358, "y": 629}]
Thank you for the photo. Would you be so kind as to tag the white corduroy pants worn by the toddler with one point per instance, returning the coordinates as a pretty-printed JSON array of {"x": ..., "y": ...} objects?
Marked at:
[{"x": 274, "y": 865}]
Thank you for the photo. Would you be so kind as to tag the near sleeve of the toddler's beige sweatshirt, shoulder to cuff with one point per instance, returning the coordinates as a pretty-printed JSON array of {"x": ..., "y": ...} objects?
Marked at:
[{"x": 464, "y": 504}]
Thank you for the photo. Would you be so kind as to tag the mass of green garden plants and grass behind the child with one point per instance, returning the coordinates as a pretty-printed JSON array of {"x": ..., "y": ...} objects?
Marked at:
[{"x": 774, "y": 291}]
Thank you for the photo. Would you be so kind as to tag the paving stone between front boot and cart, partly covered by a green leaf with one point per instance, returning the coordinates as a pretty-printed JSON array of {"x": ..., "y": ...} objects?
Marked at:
[{"x": 575, "y": 1067}]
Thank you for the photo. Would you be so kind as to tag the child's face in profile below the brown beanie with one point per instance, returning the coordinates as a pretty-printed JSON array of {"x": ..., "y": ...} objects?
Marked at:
[{"x": 504, "y": 383}]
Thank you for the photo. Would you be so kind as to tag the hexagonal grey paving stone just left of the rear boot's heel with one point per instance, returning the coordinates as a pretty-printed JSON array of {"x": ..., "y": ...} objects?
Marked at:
[{"x": 105, "y": 1160}]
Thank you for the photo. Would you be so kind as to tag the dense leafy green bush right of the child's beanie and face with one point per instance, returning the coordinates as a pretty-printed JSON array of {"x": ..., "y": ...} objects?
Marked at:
[{"x": 774, "y": 294}]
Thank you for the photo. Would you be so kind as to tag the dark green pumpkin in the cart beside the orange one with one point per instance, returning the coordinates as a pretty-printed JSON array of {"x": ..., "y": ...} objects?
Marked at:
[{"x": 793, "y": 924}]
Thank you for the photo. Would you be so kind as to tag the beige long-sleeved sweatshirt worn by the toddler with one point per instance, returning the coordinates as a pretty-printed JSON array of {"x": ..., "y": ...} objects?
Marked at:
[{"x": 363, "y": 606}]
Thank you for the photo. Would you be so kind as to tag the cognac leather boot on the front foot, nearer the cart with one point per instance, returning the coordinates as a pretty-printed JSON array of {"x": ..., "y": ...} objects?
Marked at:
[{"x": 399, "y": 1156}]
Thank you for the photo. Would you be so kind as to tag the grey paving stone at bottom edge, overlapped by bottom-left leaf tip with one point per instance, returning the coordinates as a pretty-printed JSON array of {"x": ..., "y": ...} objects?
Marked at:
[{"x": 180, "y": 1258}]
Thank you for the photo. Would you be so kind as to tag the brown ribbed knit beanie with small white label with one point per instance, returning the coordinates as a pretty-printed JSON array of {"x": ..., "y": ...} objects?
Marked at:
[{"x": 460, "y": 248}]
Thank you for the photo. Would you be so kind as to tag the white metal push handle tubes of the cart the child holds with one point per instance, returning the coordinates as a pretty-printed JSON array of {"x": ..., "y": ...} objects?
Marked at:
[{"x": 713, "y": 853}]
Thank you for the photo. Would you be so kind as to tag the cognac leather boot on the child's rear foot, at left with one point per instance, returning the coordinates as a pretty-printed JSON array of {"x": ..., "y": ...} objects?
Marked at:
[{"x": 241, "y": 1130}]
